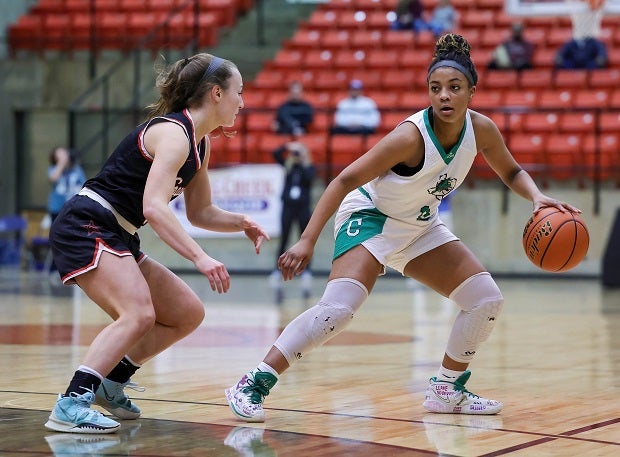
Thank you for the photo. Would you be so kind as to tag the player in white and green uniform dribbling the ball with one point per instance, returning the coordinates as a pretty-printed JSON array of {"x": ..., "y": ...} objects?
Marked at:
[{"x": 387, "y": 215}]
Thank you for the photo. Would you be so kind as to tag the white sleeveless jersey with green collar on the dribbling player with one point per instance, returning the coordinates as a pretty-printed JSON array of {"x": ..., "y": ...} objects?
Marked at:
[{"x": 415, "y": 199}]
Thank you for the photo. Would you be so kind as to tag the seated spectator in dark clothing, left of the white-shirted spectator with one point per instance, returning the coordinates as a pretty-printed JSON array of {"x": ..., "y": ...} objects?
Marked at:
[{"x": 295, "y": 115}]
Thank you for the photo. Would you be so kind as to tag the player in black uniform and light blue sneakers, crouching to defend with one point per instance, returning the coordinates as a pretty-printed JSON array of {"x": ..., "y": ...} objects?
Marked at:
[{"x": 95, "y": 242}]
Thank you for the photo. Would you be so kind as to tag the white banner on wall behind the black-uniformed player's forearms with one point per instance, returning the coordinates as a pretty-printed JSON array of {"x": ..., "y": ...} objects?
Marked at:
[{"x": 253, "y": 190}]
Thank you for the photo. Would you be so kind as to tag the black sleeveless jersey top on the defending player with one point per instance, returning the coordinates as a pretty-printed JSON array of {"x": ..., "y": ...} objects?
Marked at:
[{"x": 122, "y": 179}]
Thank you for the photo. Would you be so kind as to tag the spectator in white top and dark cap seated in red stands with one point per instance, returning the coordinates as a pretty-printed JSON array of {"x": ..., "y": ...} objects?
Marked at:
[{"x": 356, "y": 114}]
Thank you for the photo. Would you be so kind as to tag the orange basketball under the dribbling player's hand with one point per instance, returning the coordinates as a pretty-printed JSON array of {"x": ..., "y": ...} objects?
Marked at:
[{"x": 554, "y": 240}]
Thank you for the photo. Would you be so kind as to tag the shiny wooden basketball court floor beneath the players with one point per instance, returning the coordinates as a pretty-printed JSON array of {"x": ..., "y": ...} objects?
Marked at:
[{"x": 553, "y": 359}]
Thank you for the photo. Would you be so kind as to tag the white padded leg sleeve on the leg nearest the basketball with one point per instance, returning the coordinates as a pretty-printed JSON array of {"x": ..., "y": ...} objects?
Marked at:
[{"x": 481, "y": 302}]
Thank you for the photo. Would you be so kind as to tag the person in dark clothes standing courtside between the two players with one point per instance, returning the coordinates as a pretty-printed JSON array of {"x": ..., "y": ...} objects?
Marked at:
[{"x": 300, "y": 172}]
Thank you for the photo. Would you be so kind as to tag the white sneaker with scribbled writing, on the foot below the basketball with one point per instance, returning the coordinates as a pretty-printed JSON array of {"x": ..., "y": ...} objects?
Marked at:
[{"x": 453, "y": 398}]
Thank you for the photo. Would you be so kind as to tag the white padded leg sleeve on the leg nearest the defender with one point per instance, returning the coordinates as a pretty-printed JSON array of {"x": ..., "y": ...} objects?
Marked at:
[{"x": 341, "y": 300}]
